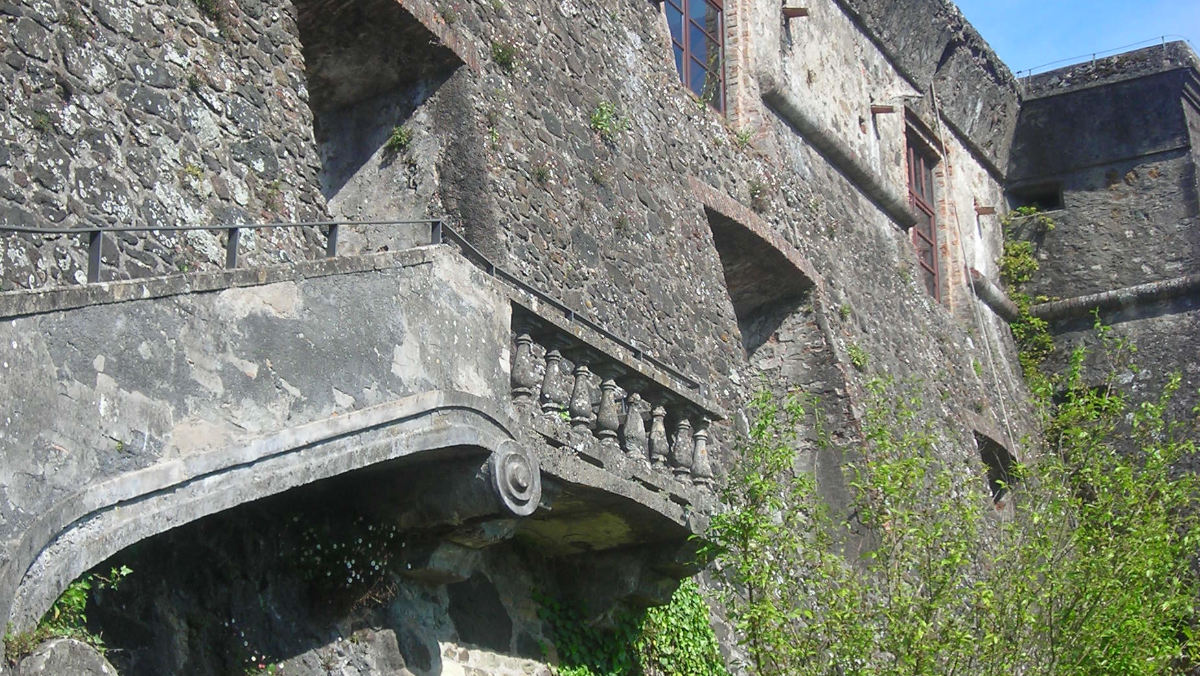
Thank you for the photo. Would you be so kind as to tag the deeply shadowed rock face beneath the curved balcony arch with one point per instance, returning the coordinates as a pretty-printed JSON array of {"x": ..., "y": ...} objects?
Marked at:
[{"x": 320, "y": 582}]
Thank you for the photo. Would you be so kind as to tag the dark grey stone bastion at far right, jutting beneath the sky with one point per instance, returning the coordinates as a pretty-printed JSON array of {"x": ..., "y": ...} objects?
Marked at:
[{"x": 1113, "y": 149}]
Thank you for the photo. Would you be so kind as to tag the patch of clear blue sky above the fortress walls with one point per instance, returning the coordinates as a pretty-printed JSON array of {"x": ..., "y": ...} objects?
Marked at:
[{"x": 1029, "y": 34}]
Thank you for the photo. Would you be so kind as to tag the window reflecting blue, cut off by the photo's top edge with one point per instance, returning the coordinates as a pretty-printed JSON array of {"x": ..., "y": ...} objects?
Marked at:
[{"x": 698, "y": 38}]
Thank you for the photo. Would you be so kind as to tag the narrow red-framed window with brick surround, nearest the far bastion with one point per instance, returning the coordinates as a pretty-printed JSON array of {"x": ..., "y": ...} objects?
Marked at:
[{"x": 921, "y": 160}]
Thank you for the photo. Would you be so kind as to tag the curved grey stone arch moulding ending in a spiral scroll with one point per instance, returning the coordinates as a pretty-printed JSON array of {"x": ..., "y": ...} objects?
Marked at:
[{"x": 103, "y": 519}]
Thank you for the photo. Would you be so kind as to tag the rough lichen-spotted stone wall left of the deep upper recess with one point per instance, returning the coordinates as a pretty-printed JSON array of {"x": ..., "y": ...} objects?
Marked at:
[{"x": 160, "y": 113}]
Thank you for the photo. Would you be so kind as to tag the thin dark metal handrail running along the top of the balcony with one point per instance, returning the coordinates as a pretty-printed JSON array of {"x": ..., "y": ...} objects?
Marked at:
[{"x": 439, "y": 234}]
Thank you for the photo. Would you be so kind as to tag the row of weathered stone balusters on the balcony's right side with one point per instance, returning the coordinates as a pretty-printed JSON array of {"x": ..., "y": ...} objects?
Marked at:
[{"x": 593, "y": 400}]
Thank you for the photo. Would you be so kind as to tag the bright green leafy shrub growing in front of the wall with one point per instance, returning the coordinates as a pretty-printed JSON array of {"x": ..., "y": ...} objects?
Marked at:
[{"x": 1091, "y": 573}]
